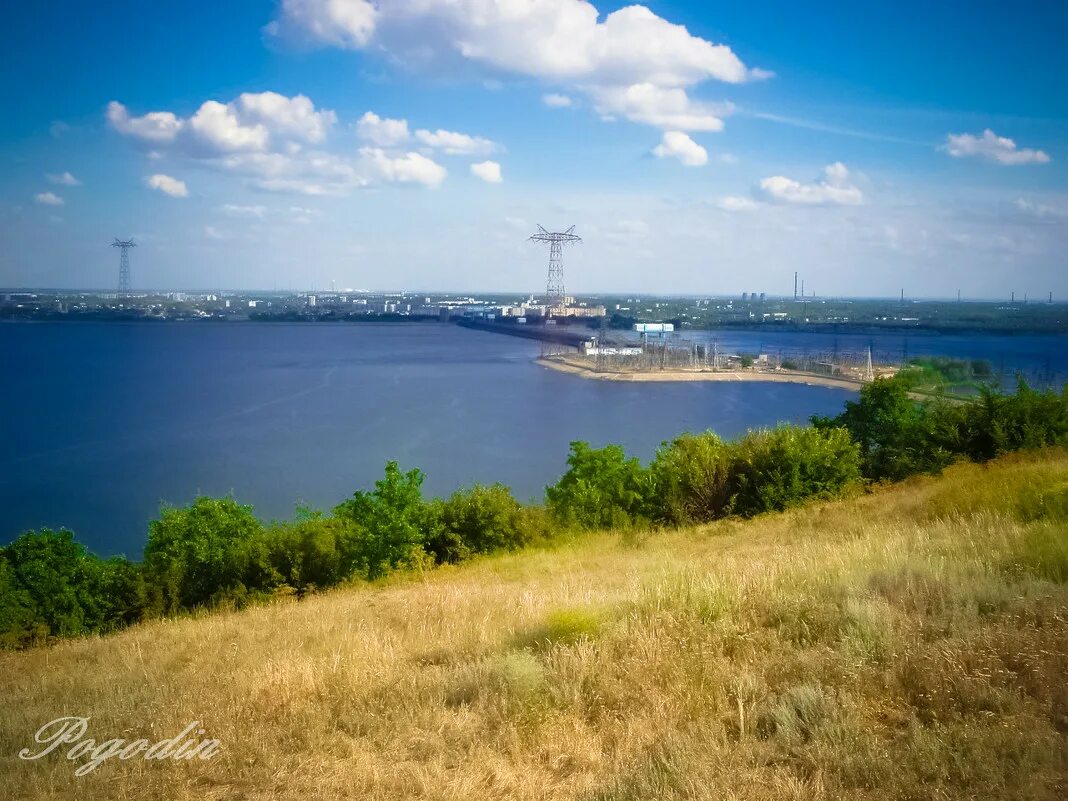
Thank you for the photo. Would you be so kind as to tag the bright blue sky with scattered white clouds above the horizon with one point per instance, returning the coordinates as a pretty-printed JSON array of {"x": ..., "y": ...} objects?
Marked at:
[{"x": 698, "y": 147}]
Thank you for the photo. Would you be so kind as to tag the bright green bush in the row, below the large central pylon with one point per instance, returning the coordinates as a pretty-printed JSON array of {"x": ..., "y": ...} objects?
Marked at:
[{"x": 602, "y": 490}]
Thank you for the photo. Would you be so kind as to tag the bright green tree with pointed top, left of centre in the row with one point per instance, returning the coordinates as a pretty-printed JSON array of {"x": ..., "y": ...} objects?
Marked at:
[{"x": 388, "y": 523}]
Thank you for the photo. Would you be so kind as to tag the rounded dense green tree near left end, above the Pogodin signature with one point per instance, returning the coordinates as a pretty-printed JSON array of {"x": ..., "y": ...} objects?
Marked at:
[{"x": 207, "y": 553}]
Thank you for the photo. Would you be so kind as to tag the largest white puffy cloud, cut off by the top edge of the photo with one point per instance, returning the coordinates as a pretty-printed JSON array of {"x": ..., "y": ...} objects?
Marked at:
[{"x": 634, "y": 64}]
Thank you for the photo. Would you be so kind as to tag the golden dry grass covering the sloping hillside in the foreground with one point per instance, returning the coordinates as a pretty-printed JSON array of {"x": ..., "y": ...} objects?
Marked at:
[{"x": 908, "y": 645}]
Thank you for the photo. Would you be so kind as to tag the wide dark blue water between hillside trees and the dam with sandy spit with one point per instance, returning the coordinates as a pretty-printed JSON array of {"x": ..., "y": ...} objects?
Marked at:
[{"x": 102, "y": 423}]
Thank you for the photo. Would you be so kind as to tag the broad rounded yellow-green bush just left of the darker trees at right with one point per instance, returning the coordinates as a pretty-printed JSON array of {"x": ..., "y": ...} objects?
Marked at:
[{"x": 775, "y": 469}]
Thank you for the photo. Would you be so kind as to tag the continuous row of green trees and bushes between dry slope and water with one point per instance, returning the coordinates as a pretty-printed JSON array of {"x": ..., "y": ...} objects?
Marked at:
[{"x": 216, "y": 554}]
